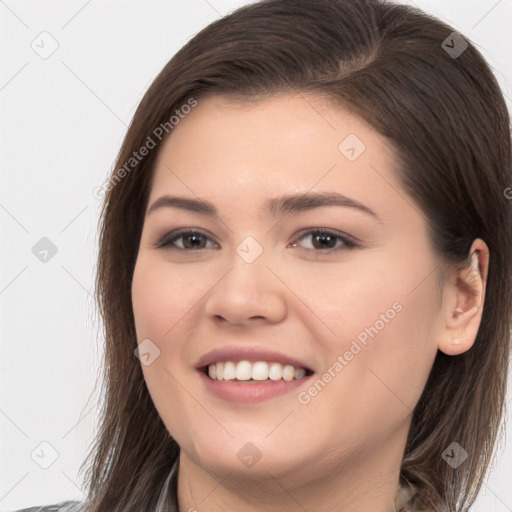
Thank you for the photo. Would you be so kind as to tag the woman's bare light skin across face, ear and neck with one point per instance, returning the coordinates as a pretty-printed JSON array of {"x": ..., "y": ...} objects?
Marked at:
[{"x": 342, "y": 450}]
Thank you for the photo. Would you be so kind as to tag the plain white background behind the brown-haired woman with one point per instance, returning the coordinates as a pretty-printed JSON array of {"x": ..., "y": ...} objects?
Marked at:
[{"x": 62, "y": 121}]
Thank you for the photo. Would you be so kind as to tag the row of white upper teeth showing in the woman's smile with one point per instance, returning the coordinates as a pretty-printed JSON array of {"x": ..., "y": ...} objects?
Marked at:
[{"x": 257, "y": 371}]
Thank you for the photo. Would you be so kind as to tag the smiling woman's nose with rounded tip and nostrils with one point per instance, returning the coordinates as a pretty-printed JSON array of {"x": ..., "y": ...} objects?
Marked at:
[{"x": 247, "y": 293}]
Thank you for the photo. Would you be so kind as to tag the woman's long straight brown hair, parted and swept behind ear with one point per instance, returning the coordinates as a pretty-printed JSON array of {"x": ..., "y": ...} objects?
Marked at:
[{"x": 445, "y": 116}]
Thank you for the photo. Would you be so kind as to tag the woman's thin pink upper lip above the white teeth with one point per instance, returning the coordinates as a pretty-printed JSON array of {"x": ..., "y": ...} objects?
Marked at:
[{"x": 252, "y": 354}]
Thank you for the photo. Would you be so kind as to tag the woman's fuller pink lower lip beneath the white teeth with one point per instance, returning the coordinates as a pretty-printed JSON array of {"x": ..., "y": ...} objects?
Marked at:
[{"x": 250, "y": 392}]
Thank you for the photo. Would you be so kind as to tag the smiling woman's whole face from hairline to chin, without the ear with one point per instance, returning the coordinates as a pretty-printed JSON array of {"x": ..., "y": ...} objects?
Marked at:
[{"x": 357, "y": 305}]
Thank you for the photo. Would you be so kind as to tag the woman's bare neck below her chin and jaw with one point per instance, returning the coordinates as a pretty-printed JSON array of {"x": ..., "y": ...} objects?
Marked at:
[{"x": 365, "y": 481}]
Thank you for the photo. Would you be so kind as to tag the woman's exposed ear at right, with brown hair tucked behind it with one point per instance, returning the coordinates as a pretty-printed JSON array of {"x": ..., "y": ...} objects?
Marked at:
[{"x": 463, "y": 301}]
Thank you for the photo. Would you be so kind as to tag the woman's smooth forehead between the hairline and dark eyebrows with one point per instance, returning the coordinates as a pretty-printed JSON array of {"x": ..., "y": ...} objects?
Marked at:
[{"x": 238, "y": 155}]
